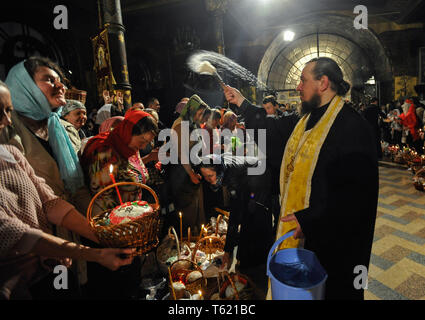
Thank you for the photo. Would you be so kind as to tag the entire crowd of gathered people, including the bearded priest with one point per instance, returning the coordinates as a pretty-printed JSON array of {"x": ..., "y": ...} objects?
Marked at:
[{"x": 55, "y": 156}]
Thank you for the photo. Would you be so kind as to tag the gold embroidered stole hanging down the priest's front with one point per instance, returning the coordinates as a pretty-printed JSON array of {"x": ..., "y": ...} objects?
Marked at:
[{"x": 298, "y": 164}]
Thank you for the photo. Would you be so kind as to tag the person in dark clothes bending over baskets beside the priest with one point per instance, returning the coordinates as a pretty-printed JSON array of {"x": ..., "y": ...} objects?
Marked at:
[{"x": 249, "y": 200}]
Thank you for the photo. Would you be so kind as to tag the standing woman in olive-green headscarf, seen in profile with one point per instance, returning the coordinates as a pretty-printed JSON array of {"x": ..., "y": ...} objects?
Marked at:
[{"x": 184, "y": 182}]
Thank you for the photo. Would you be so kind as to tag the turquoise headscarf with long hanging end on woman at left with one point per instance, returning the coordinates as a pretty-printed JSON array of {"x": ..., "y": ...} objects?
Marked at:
[{"x": 29, "y": 101}]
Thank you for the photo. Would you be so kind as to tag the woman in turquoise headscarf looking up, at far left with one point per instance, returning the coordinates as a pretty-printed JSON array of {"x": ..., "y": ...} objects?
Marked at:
[{"x": 37, "y": 91}]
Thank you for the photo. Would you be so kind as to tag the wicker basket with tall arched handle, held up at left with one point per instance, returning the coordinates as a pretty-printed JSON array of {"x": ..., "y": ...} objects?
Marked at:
[{"x": 141, "y": 233}]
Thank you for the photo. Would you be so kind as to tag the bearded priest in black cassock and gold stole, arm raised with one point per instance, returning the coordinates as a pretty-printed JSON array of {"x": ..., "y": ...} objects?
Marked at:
[{"x": 328, "y": 177}]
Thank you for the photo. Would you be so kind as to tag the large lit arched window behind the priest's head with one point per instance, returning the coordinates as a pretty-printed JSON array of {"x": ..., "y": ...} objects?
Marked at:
[{"x": 359, "y": 53}]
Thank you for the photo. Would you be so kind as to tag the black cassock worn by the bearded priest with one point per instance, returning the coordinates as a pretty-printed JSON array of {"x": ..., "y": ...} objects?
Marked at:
[{"x": 339, "y": 223}]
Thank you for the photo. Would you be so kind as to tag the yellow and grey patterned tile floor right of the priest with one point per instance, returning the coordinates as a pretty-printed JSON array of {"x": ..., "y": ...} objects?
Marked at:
[{"x": 397, "y": 266}]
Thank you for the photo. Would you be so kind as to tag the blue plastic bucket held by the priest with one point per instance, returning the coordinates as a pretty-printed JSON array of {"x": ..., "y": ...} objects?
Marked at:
[{"x": 295, "y": 274}]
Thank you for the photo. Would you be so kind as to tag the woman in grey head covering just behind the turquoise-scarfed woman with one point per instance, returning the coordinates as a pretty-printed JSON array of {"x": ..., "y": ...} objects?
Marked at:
[{"x": 73, "y": 118}]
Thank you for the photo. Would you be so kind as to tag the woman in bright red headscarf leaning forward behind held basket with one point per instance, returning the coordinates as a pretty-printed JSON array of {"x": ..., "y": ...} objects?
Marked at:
[{"x": 118, "y": 149}]
